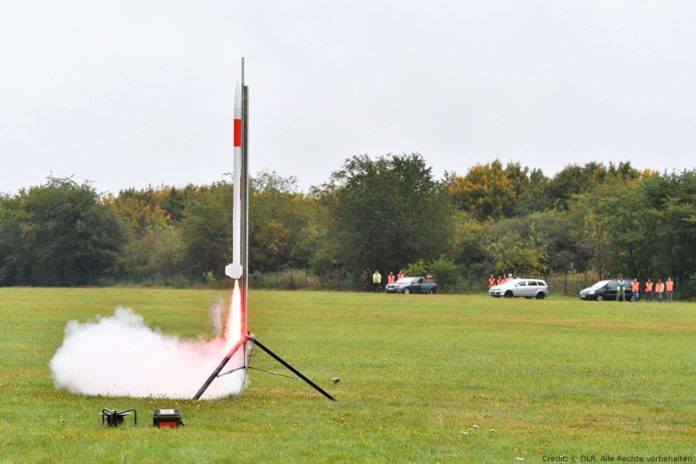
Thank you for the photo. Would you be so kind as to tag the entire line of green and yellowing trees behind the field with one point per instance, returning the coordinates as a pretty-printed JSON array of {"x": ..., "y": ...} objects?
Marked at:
[{"x": 387, "y": 213}]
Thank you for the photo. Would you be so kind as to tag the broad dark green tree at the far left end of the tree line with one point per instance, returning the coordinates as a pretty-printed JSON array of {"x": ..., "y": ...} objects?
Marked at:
[{"x": 60, "y": 234}]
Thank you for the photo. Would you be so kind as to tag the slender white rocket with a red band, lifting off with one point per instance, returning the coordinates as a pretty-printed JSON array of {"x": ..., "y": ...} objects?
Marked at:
[{"x": 236, "y": 268}]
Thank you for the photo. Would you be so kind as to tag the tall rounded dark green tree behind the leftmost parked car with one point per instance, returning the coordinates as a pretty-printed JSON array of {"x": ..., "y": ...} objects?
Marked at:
[{"x": 386, "y": 212}]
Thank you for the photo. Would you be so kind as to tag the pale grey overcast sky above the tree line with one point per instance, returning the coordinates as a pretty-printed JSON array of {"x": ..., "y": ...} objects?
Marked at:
[{"x": 135, "y": 92}]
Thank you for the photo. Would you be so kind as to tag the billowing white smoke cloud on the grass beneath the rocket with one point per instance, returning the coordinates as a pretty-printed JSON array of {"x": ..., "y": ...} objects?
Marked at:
[{"x": 122, "y": 356}]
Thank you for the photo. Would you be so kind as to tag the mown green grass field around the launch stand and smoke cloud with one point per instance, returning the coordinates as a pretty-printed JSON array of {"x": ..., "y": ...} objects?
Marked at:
[{"x": 423, "y": 379}]
